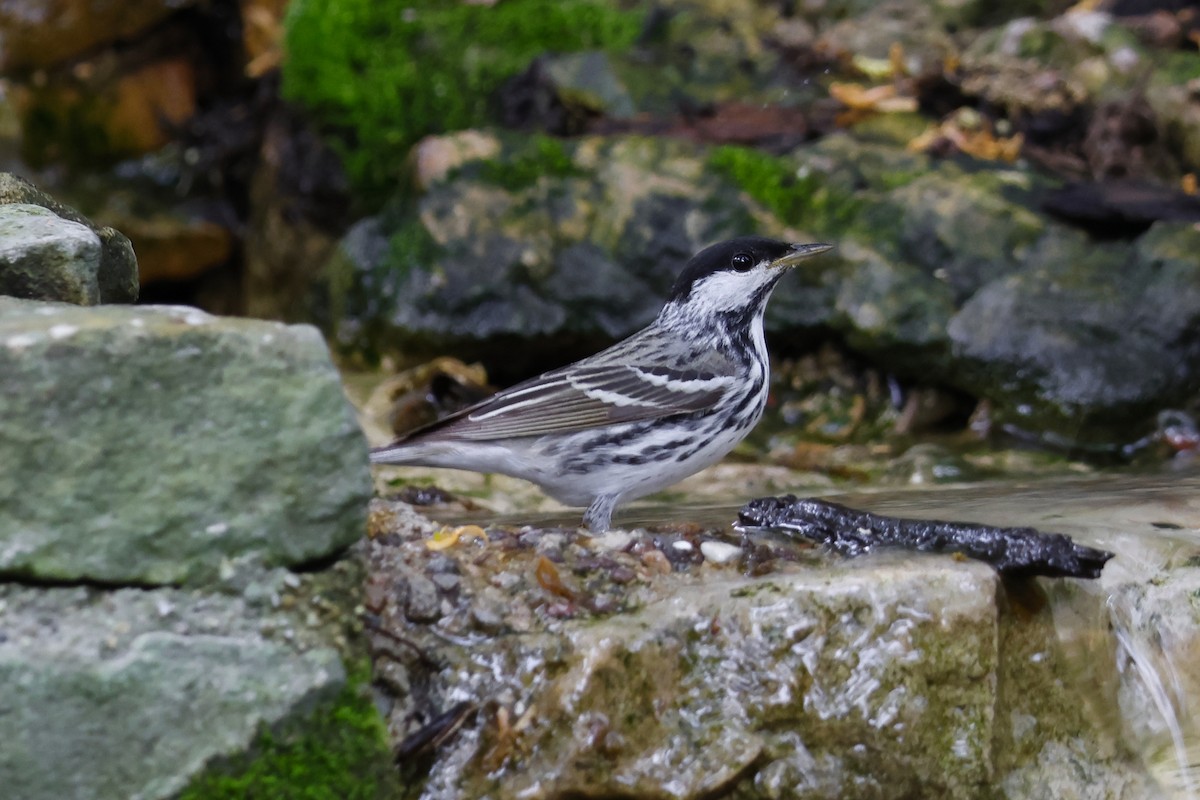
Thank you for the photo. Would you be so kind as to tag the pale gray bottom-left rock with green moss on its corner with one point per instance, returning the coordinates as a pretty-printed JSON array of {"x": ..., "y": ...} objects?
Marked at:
[{"x": 196, "y": 694}]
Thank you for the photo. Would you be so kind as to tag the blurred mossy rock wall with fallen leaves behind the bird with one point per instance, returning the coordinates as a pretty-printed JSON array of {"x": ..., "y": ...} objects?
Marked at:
[{"x": 1012, "y": 188}]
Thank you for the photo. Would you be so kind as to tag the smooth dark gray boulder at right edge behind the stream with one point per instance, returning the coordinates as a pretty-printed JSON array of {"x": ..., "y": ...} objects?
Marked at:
[{"x": 1099, "y": 334}]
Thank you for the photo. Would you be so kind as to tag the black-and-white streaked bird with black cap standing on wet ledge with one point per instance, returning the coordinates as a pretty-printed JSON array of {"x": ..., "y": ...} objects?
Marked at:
[{"x": 641, "y": 416}]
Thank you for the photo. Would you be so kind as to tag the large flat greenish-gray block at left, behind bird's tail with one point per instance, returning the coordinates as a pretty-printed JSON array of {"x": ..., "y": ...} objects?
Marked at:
[{"x": 152, "y": 444}]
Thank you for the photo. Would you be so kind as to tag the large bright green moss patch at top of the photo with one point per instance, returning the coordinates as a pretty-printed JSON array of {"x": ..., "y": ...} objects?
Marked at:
[{"x": 382, "y": 74}]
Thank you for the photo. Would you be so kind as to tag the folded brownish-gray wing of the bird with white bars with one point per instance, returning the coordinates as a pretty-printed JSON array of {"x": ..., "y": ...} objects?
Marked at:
[{"x": 589, "y": 395}]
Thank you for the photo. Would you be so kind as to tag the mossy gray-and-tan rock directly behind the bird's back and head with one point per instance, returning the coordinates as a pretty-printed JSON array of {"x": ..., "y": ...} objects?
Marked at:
[{"x": 547, "y": 246}]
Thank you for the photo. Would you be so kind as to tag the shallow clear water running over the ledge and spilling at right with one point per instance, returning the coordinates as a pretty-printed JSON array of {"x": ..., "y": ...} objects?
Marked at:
[{"x": 1137, "y": 630}]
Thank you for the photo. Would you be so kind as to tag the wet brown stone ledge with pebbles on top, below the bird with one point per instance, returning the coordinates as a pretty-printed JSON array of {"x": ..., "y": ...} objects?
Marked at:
[{"x": 682, "y": 661}]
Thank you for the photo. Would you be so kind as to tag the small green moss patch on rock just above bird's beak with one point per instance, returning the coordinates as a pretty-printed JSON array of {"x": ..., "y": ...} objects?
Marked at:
[{"x": 796, "y": 196}]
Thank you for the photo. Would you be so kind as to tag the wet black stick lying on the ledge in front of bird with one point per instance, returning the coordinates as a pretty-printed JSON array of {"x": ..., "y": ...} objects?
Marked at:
[{"x": 1012, "y": 551}]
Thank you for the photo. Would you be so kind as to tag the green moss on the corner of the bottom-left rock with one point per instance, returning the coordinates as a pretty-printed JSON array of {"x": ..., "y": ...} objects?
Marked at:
[{"x": 340, "y": 753}]
